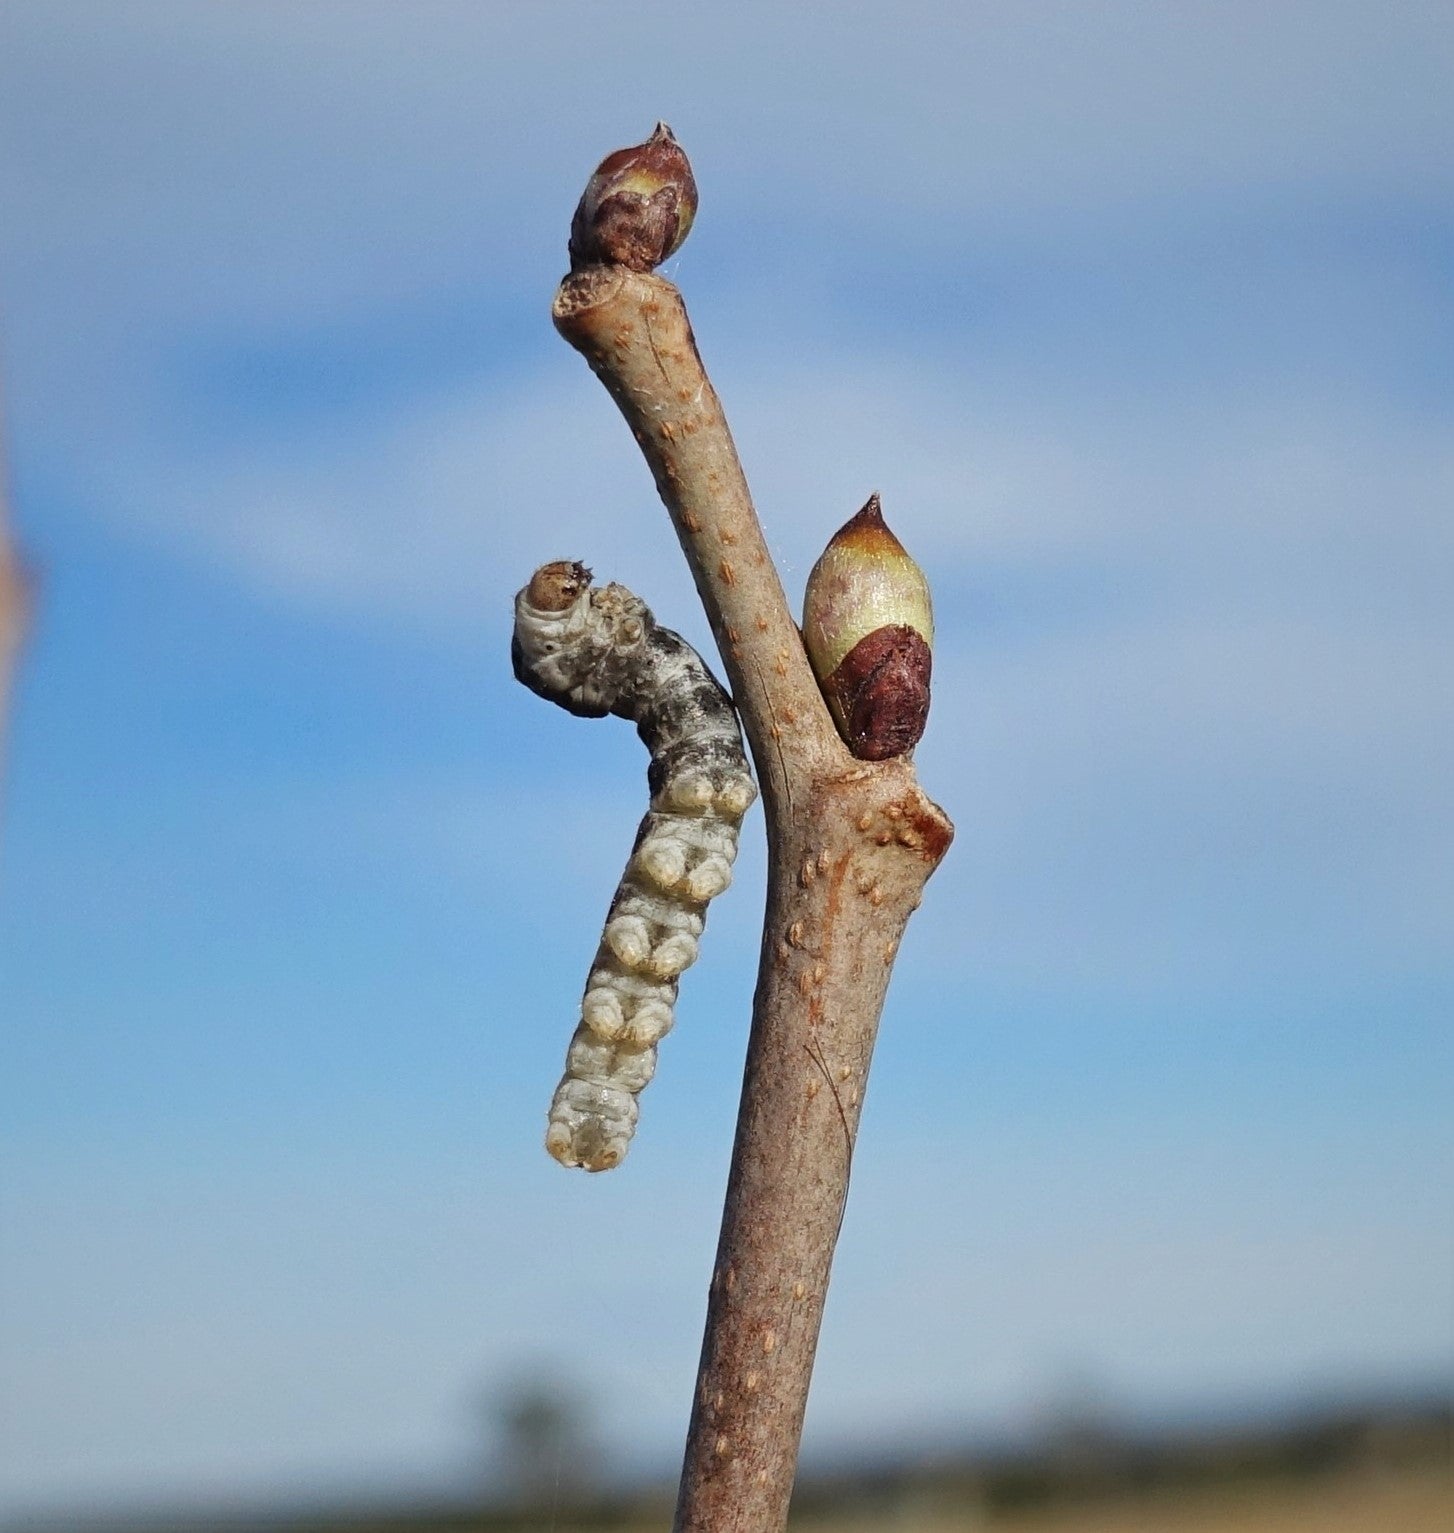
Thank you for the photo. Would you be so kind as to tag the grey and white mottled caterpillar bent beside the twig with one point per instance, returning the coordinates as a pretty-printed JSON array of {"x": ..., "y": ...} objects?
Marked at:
[{"x": 597, "y": 651}]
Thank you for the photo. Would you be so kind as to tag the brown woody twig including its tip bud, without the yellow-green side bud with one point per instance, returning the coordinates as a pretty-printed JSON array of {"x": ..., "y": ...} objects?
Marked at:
[{"x": 850, "y": 847}]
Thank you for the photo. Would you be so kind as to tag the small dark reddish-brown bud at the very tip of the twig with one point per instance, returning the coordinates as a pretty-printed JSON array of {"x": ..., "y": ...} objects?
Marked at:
[{"x": 637, "y": 209}]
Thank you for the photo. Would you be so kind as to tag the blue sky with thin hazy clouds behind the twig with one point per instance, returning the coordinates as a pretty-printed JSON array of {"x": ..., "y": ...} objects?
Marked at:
[{"x": 1139, "y": 318}]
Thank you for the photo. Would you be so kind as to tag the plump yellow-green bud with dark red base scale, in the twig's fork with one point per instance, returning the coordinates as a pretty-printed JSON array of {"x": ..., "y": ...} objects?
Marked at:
[{"x": 869, "y": 628}]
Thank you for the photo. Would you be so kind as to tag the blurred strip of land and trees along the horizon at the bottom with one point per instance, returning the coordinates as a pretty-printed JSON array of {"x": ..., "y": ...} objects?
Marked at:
[{"x": 1357, "y": 1465}]
